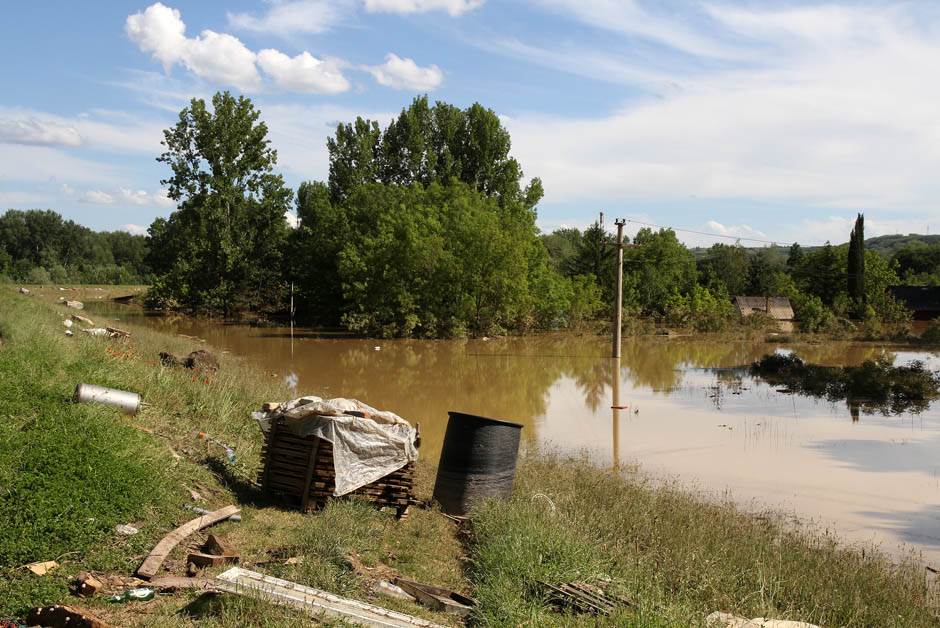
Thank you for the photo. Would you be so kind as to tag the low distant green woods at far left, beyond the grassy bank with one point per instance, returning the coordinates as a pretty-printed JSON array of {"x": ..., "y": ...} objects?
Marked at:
[{"x": 38, "y": 246}]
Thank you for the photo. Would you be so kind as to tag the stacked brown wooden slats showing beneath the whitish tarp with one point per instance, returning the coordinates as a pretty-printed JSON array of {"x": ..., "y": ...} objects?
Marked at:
[{"x": 300, "y": 470}]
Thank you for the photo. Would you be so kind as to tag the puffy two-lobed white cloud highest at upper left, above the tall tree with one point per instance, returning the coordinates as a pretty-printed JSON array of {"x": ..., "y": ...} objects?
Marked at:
[{"x": 216, "y": 57}]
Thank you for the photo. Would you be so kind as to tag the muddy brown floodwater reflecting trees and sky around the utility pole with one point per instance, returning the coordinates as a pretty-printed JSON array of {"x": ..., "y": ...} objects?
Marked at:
[{"x": 689, "y": 411}]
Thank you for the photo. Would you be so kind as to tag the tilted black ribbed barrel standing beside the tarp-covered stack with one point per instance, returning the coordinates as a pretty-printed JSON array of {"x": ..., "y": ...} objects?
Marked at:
[{"x": 478, "y": 460}]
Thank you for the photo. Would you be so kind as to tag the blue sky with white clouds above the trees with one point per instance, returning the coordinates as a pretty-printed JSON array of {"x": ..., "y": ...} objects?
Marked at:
[{"x": 777, "y": 121}]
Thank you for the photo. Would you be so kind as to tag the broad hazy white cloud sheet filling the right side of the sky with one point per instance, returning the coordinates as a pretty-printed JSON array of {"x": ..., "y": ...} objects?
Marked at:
[{"x": 846, "y": 119}]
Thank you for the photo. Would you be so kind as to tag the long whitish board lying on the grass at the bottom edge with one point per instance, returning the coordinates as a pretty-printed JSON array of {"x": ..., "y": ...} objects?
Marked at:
[{"x": 313, "y": 601}]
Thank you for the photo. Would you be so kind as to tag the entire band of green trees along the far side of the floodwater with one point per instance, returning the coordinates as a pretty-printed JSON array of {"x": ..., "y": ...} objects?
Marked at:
[{"x": 427, "y": 227}]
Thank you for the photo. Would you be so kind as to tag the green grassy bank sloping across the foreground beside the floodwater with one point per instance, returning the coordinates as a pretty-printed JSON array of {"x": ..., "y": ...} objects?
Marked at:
[{"x": 69, "y": 473}]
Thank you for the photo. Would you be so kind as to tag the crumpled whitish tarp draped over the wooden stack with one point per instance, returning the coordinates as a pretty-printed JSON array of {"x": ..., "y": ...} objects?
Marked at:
[{"x": 365, "y": 449}]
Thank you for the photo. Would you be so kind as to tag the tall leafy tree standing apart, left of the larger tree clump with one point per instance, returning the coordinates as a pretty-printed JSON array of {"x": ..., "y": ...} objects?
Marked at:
[{"x": 229, "y": 229}]
